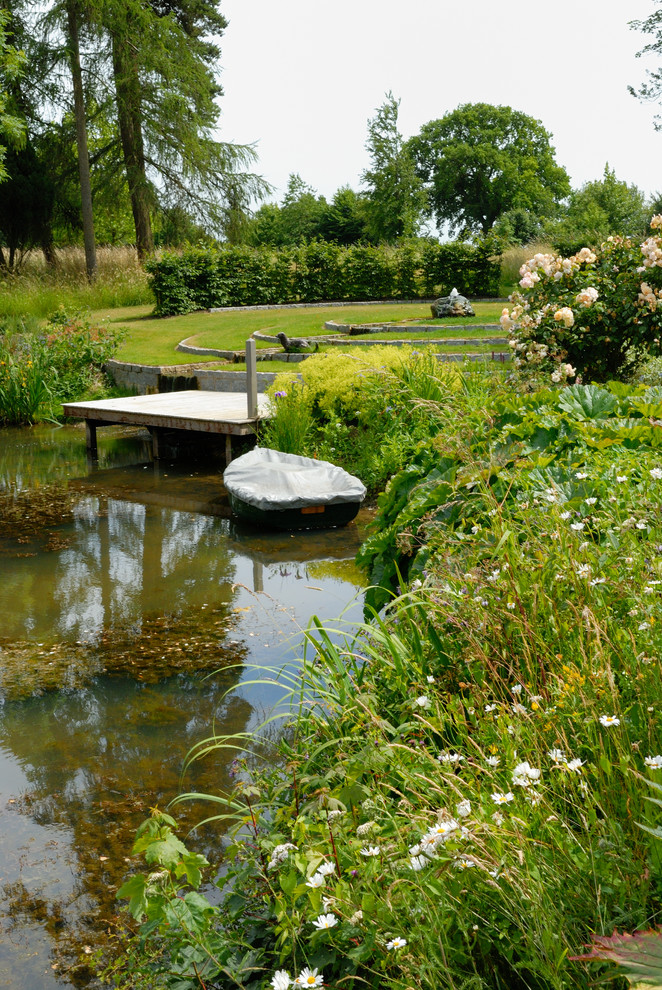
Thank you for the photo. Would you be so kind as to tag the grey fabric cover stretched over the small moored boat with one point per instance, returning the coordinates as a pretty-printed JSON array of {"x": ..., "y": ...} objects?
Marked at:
[{"x": 268, "y": 479}]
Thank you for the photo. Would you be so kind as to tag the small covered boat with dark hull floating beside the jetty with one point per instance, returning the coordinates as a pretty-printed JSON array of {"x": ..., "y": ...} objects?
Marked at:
[{"x": 285, "y": 491}]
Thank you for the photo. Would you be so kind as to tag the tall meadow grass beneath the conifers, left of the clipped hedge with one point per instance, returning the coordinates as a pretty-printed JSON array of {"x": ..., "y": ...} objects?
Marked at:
[{"x": 38, "y": 290}]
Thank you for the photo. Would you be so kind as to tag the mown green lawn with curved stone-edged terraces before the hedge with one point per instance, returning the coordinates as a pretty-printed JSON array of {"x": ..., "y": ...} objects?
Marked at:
[{"x": 153, "y": 341}]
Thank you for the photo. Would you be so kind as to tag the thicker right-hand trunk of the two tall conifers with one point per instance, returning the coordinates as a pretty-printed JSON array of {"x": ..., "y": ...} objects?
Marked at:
[{"x": 127, "y": 91}]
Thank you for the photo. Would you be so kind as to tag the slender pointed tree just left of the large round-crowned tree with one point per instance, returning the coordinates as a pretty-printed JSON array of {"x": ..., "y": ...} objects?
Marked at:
[{"x": 395, "y": 197}]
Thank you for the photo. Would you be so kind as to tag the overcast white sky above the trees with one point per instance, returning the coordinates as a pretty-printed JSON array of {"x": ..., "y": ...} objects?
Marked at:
[{"x": 302, "y": 77}]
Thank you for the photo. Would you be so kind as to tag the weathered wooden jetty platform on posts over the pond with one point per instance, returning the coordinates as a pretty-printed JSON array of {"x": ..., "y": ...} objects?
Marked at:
[{"x": 207, "y": 412}]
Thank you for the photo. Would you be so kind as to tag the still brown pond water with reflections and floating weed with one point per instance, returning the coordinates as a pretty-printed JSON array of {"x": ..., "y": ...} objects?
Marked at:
[{"x": 130, "y": 604}]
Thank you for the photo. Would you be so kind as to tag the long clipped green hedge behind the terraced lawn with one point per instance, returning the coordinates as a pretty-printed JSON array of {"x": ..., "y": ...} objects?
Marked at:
[{"x": 203, "y": 278}]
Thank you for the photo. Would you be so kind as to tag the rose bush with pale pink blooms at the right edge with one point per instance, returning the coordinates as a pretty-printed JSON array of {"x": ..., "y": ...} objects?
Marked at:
[{"x": 594, "y": 315}]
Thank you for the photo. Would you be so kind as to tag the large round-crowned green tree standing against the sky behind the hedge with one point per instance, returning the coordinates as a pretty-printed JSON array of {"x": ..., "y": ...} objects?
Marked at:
[{"x": 480, "y": 161}]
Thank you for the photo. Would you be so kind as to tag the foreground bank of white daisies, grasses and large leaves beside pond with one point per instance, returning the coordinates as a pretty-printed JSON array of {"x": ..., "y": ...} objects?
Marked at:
[{"x": 459, "y": 795}]
